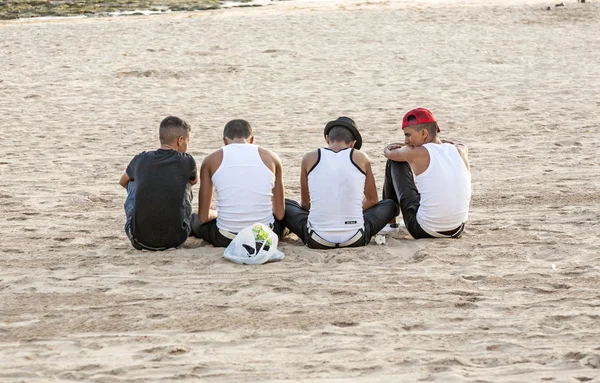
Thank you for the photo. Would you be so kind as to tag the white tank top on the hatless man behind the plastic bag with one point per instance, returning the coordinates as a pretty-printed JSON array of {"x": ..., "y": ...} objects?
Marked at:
[{"x": 244, "y": 185}]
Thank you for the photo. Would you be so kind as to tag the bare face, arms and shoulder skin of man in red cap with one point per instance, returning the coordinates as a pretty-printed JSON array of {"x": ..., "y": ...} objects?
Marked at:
[{"x": 413, "y": 152}]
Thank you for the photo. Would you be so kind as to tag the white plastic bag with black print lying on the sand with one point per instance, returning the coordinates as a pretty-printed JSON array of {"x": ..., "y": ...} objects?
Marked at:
[{"x": 254, "y": 245}]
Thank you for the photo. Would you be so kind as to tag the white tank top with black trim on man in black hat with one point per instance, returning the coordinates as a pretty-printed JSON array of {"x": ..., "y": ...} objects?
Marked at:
[{"x": 336, "y": 186}]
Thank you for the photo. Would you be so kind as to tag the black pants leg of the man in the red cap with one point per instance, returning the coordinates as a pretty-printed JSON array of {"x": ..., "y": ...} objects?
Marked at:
[{"x": 399, "y": 185}]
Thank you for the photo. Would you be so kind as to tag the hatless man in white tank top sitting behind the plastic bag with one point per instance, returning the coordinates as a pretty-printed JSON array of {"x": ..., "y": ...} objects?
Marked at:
[{"x": 248, "y": 181}]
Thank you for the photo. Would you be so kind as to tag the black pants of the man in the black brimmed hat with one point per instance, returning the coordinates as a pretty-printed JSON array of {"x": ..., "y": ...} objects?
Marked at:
[{"x": 376, "y": 217}]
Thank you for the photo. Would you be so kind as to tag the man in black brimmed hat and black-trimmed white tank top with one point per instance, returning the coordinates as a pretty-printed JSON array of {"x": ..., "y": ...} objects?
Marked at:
[{"x": 339, "y": 205}]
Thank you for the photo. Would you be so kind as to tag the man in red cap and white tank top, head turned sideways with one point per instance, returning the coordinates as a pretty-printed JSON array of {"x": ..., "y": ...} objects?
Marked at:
[{"x": 429, "y": 178}]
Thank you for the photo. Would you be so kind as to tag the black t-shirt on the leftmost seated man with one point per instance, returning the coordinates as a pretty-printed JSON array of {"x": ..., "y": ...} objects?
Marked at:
[{"x": 162, "y": 181}]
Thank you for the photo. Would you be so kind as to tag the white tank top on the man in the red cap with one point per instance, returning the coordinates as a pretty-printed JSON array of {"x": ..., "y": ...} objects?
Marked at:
[{"x": 445, "y": 188}]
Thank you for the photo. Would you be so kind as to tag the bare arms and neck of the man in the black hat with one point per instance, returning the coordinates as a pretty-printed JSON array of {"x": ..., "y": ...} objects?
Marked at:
[{"x": 359, "y": 158}]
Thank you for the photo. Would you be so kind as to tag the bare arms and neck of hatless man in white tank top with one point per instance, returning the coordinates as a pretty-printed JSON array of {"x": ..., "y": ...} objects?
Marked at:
[{"x": 212, "y": 162}]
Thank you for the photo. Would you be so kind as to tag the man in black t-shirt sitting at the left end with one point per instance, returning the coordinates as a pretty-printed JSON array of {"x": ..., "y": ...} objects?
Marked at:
[{"x": 159, "y": 190}]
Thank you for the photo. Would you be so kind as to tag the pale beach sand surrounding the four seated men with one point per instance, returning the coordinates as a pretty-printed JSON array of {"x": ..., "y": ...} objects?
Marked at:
[{"x": 517, "y": 299}]
